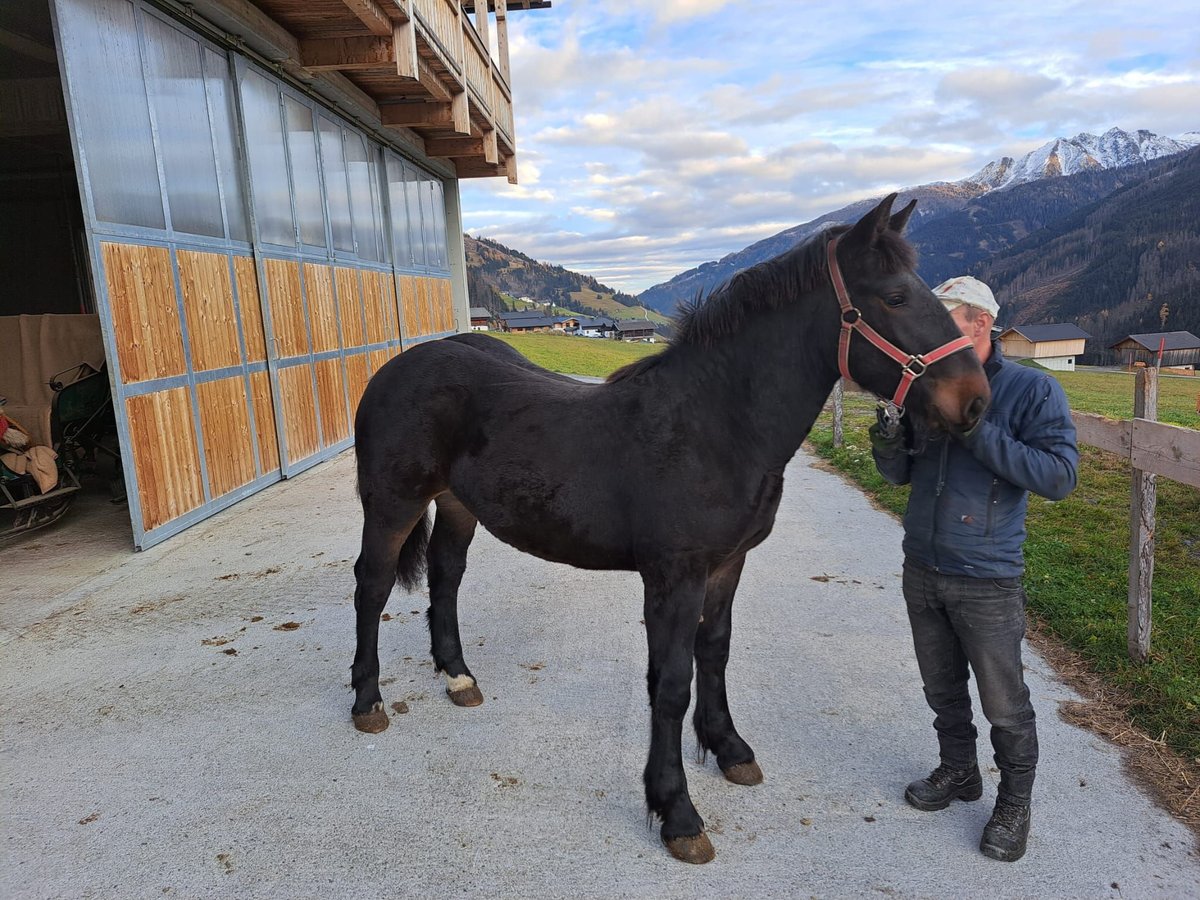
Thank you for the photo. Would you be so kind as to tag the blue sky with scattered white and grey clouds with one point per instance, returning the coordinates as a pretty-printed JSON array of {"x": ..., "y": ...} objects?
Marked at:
[{"x": 657, "y": 135}]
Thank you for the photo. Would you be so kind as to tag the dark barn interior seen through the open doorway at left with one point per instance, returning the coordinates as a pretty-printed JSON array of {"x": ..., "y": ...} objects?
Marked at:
[{"x": 50, "y": 329}]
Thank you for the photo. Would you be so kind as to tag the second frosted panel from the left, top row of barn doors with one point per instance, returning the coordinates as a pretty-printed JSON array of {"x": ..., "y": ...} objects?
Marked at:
[{"x": 177, "y": 89}]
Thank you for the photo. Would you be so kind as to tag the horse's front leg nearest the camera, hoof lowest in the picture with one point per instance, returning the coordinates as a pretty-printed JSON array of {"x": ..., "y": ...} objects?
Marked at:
[{"x": 675, "y": 597}]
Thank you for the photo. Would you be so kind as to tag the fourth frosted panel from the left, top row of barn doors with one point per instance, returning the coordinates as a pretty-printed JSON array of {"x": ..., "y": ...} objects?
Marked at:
[{"x": 268, "y": 163}]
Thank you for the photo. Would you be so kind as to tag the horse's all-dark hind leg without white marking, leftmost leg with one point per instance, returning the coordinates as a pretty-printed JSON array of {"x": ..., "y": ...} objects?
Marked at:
[{"x": 375, "y": 573}]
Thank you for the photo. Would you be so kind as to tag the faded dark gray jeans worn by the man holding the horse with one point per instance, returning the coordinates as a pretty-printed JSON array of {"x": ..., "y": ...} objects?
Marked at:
[{"x": 959, "y": 621}]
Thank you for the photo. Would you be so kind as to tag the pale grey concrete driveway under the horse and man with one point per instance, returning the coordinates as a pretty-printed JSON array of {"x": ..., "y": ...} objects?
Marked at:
[{"x": 177, "y": 724}]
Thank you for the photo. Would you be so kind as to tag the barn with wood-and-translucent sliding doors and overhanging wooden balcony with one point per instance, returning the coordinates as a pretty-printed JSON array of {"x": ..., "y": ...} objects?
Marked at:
[{"x": 257, "y": 201}]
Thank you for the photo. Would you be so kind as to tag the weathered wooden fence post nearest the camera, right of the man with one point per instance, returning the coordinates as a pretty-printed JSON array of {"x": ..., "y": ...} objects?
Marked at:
[{"x": 1142, "y": 526}]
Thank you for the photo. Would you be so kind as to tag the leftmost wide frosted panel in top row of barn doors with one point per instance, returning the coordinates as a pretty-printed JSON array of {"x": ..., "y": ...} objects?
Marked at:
[{"x": 104, "y": 69}]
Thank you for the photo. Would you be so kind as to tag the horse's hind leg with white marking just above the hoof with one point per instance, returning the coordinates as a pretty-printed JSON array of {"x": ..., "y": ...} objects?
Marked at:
[{"x": 453, "y": 531}]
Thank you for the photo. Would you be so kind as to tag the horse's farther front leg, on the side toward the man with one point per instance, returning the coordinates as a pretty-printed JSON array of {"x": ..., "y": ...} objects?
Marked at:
[{"x": 712, "y": 721}]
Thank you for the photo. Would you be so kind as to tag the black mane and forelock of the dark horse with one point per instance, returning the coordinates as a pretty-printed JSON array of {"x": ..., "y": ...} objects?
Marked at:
[{"x": 763, "y": 287}]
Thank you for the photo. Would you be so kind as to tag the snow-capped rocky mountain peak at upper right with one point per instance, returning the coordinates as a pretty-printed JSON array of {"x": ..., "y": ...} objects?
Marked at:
[{"x": 1066, "y": 157}]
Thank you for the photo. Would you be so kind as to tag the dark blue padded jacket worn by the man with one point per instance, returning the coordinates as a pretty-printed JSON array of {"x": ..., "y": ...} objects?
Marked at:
[{"x": 967, "y": 511}]
